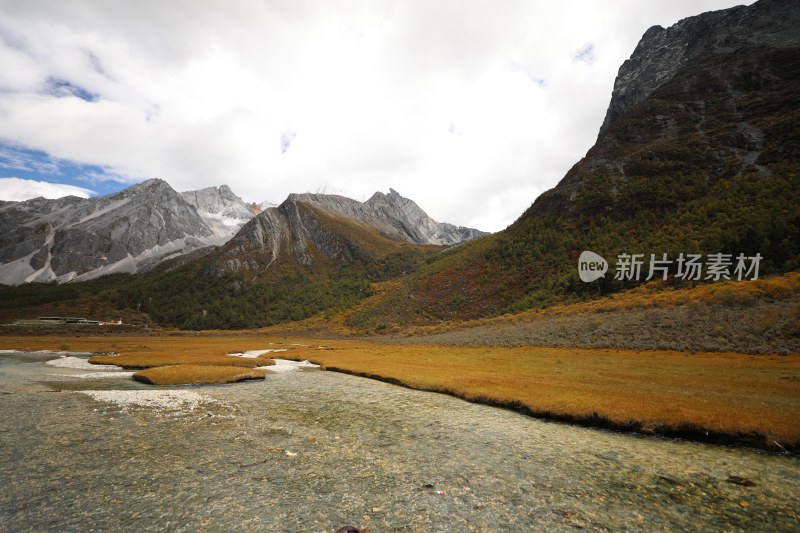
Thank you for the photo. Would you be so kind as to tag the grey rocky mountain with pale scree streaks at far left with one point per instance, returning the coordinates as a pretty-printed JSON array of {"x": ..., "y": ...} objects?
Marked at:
[{"x": 74, "y": 238}]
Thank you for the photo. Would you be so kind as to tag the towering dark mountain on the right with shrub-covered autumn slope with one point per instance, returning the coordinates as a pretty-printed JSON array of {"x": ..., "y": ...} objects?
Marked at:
[{"x": 699, "y": 153}]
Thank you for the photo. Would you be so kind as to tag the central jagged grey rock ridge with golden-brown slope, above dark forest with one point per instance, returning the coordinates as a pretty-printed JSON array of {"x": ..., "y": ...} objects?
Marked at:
[{"x": 337, "y": 228}]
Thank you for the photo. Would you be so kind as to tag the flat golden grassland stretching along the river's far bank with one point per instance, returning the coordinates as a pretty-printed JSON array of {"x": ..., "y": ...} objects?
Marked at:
[{"x": 753, "y": 399}]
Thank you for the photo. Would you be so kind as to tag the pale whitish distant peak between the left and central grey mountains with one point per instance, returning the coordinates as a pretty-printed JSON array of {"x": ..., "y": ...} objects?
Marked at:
[{"x": 223, "y": 211}]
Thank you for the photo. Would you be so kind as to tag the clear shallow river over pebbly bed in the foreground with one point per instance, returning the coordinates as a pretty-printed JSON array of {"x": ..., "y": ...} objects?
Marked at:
[{"x": 314, "y": 451}]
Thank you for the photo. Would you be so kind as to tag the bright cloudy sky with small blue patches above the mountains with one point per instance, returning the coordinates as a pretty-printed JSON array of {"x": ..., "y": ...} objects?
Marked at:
[{"x": 472, "y": 108}]
